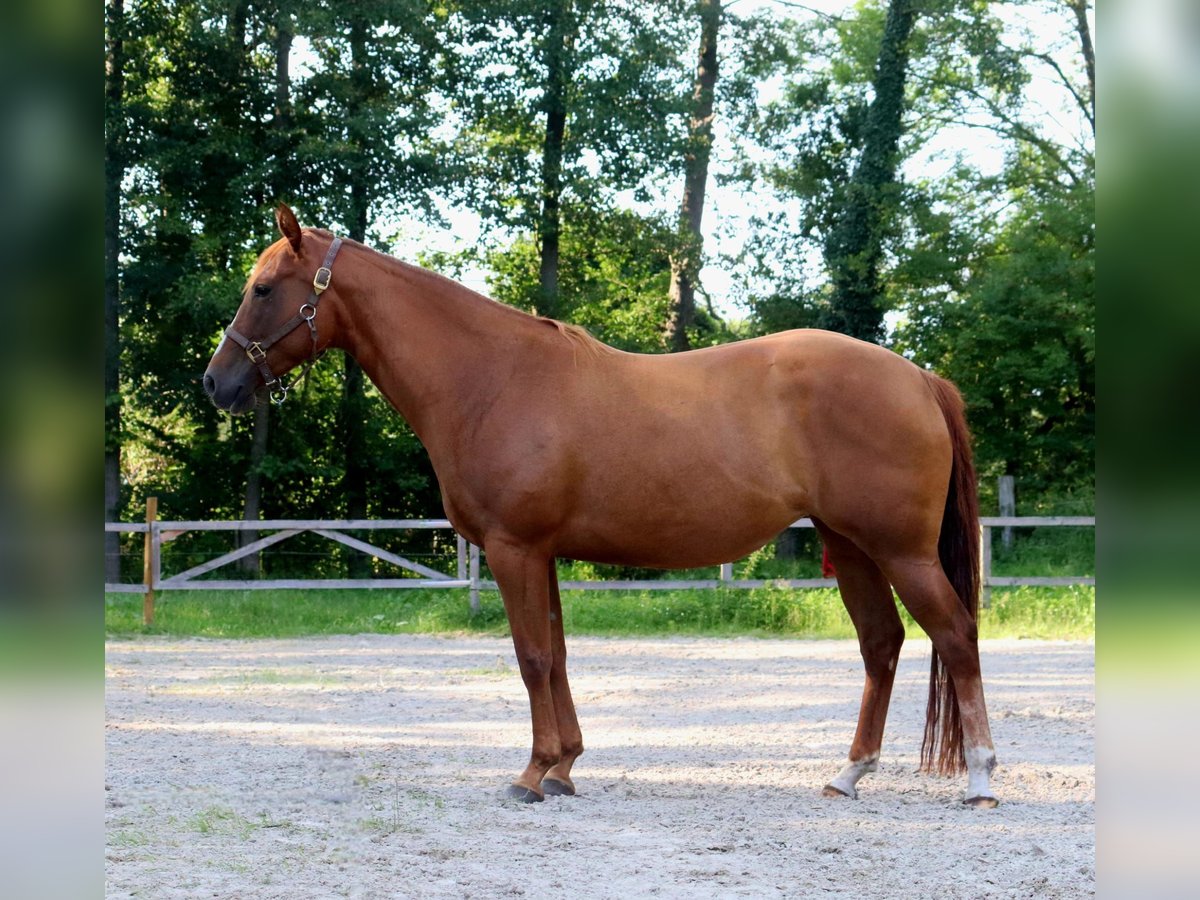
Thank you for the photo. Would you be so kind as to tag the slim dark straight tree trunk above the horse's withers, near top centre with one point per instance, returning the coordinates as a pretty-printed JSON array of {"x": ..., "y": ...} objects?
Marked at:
[{"x": 559, "y": 44}]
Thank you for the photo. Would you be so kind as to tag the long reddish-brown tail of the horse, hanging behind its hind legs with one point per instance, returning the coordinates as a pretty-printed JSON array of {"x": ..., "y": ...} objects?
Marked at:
[{"x": 958, "y": 549}]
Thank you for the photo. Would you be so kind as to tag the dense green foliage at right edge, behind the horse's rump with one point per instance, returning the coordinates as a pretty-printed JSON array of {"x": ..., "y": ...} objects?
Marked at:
[{"x": 1018, "y": 337}]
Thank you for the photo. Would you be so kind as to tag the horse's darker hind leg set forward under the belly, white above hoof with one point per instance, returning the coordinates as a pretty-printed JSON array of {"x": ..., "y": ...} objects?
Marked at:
[{"x": 868, "y": 598}]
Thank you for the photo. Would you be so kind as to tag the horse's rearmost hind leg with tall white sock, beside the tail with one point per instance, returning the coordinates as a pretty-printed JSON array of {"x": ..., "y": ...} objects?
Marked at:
[{"x": 927, "y": 593}]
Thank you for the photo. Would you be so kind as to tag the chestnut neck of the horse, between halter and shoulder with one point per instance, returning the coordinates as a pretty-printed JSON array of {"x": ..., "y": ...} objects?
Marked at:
[{"x": 435, "y": 349}]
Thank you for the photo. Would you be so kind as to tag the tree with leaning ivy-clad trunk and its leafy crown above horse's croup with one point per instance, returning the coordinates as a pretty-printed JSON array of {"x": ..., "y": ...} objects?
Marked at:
[{"x": 860, "y": 100}]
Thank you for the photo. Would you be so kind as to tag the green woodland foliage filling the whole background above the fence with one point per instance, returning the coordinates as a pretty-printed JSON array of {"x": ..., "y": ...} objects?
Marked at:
[{"x": 405, "y": 107}]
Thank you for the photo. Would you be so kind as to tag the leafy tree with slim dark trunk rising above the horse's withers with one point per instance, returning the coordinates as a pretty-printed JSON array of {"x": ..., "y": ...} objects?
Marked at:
[{"x": 568, "y": 103}]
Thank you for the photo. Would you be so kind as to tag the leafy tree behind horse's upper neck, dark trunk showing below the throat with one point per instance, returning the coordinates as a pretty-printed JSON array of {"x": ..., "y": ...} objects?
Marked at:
[{"x": 385, "y": 67}]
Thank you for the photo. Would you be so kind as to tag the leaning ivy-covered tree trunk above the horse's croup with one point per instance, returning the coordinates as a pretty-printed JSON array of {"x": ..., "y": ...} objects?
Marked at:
[{"x": 855, "y": 248}]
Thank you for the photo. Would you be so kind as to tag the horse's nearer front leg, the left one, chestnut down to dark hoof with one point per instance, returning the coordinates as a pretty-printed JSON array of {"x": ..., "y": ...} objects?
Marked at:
[{"x": 523, "y": 577}]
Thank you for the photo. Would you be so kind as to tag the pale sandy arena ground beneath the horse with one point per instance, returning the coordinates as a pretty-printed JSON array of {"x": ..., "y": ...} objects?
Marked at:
[{"x": 374, "y": 767}]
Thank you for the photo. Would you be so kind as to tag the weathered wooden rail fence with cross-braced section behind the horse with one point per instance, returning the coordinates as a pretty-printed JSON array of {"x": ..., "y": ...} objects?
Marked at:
[{"x": 467, "y": 565}]
